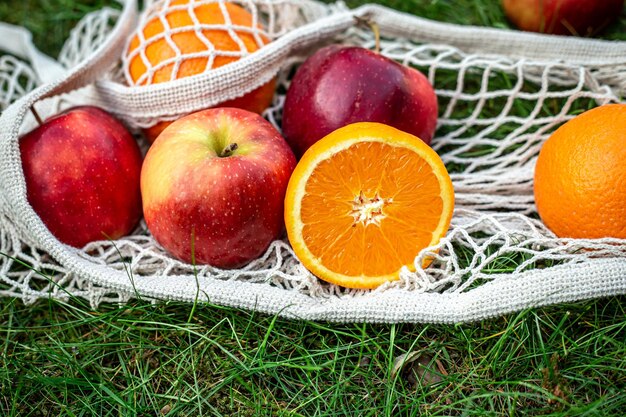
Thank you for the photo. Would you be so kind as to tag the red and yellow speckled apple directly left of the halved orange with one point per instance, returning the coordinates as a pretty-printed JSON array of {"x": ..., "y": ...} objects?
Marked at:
[{"x": 213, "y": 185}]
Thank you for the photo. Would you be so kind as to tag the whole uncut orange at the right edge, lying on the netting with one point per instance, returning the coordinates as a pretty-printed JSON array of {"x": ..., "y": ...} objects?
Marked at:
[{"x": 580, "y": 177}]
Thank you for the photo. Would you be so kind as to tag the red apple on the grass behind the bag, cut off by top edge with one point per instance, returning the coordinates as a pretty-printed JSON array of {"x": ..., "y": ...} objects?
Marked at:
[{"x": 563, "y": 17}]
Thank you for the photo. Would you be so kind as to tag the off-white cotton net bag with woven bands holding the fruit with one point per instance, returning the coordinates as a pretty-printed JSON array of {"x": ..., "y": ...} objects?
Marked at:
[{"x": 488, "y": 136}]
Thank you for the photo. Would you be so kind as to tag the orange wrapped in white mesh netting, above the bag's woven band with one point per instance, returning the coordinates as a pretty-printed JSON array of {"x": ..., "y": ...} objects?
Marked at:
[{"x": 182, "y": 37}]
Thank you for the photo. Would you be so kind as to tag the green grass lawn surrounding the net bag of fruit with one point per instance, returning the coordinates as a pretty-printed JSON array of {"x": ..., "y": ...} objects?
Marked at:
[{"x": 155, "y": 360}]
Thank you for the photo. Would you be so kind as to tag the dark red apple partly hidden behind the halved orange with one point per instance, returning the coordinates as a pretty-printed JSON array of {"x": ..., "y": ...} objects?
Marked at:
[{"x": 340, "y": 85}]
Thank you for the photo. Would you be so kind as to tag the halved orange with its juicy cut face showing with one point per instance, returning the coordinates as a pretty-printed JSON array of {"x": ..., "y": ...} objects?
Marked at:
[{"x": 364, "y": 201}]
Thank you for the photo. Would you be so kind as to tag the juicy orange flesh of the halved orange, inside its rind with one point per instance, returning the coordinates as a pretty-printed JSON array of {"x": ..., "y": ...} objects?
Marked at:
[{"x": 399, "y": 226}]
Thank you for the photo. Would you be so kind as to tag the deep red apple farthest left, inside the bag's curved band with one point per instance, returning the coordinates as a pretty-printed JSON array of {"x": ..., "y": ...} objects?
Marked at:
[{"x": 82, "y": 172}]
